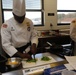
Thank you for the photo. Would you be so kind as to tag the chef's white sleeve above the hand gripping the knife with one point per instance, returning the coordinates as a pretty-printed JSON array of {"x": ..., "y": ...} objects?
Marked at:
[{"x": 34, "y": 37}]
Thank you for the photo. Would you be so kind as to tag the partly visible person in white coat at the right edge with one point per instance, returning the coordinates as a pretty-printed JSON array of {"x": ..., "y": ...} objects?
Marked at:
[{"x": 73, "y": 34}]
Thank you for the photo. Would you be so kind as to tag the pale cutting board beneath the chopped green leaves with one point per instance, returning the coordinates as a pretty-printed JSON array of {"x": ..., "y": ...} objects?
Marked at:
[{"x": 38, "y": 63}]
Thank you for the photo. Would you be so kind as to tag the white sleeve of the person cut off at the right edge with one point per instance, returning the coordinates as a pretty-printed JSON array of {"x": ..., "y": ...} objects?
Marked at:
[{"x": 73, "y": 30}]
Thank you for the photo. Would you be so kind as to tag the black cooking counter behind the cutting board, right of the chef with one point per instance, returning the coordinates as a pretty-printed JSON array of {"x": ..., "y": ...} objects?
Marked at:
[{"x": 61, "y": 45}]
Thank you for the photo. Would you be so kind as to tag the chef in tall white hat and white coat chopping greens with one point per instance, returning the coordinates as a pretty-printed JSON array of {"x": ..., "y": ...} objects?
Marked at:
[{"x": 19, "y": 38}]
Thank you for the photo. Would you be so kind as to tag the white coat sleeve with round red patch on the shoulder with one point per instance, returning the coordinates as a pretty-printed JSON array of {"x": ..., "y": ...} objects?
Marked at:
[{"x": 6, "y": 40}]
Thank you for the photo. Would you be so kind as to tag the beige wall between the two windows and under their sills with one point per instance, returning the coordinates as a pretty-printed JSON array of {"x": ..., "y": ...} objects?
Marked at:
[{"x": 50, "y": 6}]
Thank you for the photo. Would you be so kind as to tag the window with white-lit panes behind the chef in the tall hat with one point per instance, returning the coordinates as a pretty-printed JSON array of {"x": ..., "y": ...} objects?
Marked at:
[{"x": 34, "y": 10}]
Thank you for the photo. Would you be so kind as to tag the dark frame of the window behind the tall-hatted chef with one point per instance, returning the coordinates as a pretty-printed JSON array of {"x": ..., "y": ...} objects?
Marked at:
[{"x": 31, "y": 10}]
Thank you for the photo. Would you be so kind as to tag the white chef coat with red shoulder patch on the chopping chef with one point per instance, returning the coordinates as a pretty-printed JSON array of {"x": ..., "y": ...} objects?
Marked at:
[{"x": 16, "y": 35}]
